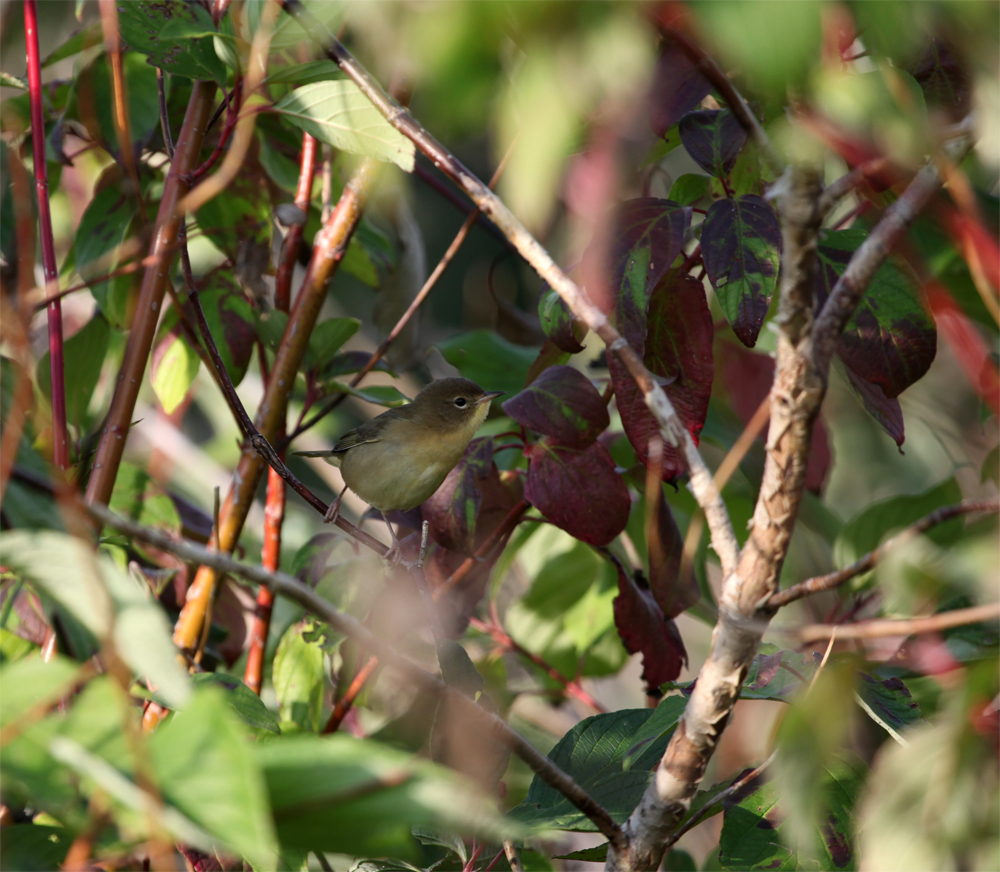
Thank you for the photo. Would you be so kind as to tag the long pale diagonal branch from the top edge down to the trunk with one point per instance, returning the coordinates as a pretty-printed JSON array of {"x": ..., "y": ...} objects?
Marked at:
[{"x": 672, "y": 428}]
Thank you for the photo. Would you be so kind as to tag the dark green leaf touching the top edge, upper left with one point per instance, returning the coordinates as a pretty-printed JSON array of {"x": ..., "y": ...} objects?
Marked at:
[{"x": 142, "y": 22}]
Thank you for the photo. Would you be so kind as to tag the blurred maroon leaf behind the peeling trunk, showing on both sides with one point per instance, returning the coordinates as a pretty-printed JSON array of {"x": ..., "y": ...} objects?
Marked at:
[{"x": 748, "y": 378}]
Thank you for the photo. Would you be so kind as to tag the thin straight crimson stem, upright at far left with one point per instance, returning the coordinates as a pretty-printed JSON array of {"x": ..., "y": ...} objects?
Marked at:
[{"x": 60, "y": 438}]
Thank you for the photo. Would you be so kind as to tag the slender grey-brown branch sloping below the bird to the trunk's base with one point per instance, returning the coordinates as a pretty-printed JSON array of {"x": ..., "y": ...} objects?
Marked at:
[{"x": 285, "y": 585}]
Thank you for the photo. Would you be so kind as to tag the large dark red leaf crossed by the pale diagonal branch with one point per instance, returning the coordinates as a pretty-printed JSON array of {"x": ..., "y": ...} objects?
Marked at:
[{"x": 679, "y": 353}]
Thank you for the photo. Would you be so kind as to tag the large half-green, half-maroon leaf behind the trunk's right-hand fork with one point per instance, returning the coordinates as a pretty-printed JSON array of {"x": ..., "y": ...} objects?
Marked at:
[{"x": 891, "y": 339}]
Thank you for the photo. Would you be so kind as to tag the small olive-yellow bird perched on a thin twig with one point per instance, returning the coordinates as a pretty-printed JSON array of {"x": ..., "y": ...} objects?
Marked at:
[{"x": 398, "y": 459}]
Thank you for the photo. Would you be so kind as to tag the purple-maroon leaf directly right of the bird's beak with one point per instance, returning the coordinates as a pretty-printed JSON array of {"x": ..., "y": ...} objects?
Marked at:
[{"x": 562, "y": 403}]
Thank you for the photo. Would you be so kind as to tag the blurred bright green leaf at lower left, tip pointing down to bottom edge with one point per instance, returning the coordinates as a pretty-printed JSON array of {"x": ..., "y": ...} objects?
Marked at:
[{"x": 206, "y": 768}]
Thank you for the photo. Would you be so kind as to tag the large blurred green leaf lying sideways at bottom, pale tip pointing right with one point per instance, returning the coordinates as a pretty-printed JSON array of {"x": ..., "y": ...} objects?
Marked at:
[{"x": 360, "y": 797}]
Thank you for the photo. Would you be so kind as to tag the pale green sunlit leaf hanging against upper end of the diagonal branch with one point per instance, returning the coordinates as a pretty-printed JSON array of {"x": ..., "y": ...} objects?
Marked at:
[{"x": 338, "y": 113}]
